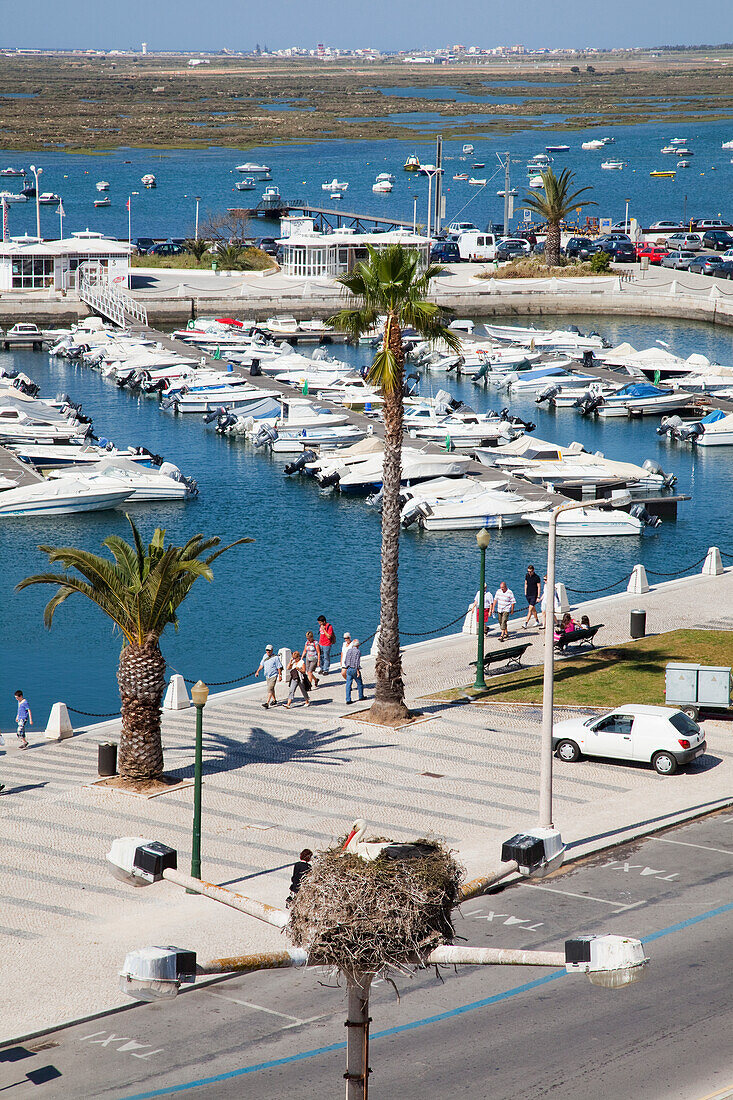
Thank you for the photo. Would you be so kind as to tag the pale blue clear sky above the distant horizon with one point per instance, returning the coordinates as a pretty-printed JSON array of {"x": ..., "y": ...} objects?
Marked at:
[{"x": 385, "y": 25}]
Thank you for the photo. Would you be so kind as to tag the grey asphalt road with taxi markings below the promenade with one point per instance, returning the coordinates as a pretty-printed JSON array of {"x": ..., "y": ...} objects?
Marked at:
[{"x": 495, "y": 1032}]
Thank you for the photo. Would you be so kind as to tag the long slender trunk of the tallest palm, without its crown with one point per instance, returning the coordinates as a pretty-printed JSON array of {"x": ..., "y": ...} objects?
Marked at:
[{"x": 390, "y": 690}]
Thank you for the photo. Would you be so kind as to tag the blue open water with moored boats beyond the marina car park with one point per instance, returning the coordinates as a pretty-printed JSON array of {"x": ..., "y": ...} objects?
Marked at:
[{"x": 300, "y": 171}]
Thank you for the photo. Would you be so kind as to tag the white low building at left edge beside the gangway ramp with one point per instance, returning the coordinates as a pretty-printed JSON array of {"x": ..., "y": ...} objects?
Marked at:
[{"x": 30, "y": 265}]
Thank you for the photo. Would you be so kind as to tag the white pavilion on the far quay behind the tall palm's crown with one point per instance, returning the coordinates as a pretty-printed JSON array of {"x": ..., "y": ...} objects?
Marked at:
[{"x": 312, "y": 255}]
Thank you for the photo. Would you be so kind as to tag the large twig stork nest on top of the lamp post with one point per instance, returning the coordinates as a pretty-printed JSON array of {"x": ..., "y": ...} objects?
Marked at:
[{"x": 375, "y": 917}]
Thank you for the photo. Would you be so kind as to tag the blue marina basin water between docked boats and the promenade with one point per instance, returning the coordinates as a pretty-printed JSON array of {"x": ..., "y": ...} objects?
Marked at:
[{"x": 318, "y": 553}]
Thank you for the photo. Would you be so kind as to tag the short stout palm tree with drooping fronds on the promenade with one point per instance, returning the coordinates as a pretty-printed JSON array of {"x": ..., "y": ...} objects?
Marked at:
[{"x": 141, "y": 592}]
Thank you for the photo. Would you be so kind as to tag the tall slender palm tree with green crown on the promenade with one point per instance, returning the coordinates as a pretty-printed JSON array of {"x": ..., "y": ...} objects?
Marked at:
[{"x": 391, "y": 289}]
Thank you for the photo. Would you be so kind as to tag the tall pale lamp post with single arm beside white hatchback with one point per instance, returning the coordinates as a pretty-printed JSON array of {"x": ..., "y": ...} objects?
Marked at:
[{"x": 549, "y": 673}]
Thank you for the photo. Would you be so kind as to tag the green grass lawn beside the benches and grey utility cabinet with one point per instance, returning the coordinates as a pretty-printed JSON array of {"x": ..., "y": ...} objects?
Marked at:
[{"x": 630, "y": 674}]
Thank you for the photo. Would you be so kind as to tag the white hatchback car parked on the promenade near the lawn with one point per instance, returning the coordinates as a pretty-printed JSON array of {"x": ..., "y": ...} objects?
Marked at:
[{"x": 659, "y": 735}]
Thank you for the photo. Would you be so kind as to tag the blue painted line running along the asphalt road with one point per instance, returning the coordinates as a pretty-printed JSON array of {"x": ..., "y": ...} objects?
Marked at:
[{"x": 451, "y": 1014}]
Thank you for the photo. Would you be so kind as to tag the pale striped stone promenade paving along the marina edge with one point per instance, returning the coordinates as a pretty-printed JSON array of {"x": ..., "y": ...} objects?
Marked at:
[{"x": 278, "y": 780}]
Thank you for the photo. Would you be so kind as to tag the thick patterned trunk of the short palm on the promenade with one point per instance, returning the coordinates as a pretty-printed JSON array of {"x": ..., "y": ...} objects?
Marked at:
[{"x": 141, "y": 679}]
